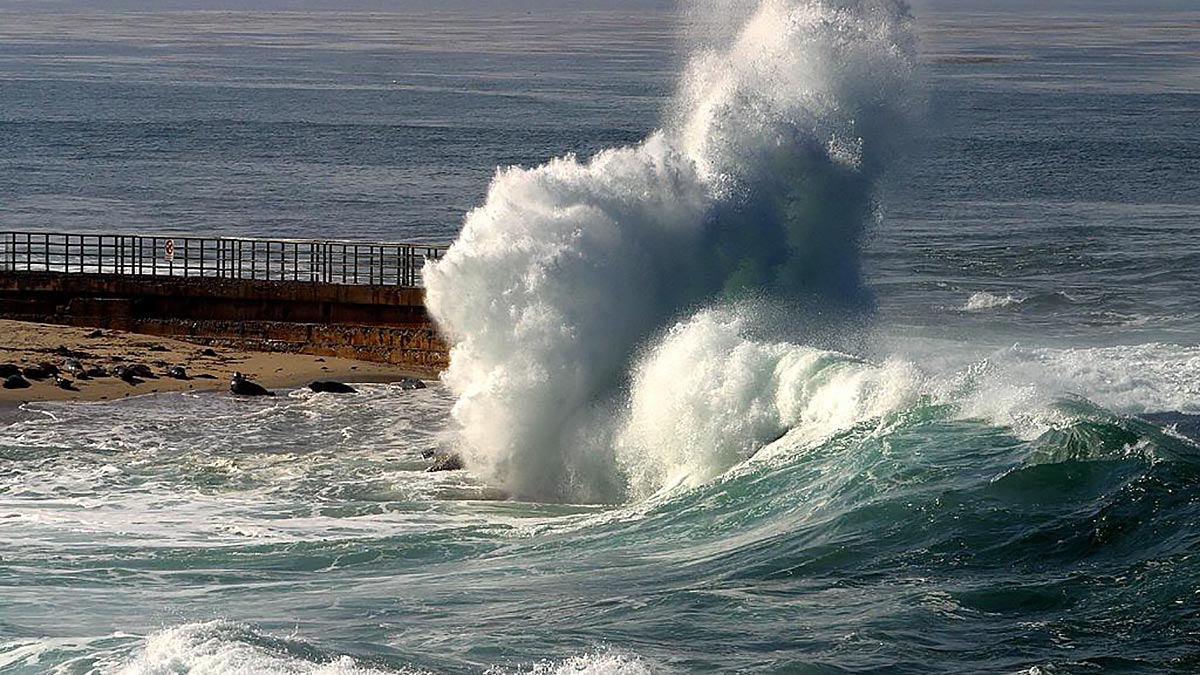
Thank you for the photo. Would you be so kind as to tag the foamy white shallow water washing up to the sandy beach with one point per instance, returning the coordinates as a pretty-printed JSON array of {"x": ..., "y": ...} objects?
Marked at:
[{"x": 207, "y": 470}]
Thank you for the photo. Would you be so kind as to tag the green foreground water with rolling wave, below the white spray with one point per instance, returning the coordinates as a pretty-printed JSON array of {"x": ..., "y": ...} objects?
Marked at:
[{"x": 915, "y": 542}]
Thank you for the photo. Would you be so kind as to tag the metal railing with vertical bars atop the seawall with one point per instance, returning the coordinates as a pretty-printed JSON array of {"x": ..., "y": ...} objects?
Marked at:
[{"x": 224, "y": 258}]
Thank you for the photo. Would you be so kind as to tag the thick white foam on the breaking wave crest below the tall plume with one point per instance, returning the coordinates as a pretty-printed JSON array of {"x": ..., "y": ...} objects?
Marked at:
[{"x": 707, "y": 398}]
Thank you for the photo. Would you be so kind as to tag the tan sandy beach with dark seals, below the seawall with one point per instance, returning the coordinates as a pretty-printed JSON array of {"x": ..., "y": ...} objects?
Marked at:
[{"x": 31, "y": 345}]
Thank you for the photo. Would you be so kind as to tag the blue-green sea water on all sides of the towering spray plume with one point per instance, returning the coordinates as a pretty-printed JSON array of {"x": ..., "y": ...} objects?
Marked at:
[{"x": 1007, "y": 481}]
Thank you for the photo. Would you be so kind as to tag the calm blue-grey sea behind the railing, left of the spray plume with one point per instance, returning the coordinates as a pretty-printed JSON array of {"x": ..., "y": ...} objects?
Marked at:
[{"x": 297, "y": 126}]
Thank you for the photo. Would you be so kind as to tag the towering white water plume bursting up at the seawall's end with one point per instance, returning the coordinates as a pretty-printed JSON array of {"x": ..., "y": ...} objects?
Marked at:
[{"x": 760, "y": 182}]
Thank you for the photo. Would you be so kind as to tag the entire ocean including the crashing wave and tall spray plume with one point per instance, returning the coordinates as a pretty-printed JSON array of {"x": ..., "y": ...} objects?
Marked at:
[{"x": 790, "y": 337}]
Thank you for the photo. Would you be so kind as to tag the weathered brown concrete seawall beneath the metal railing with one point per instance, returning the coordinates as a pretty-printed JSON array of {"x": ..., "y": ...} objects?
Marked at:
[{"x": 377, "y": 324}]
